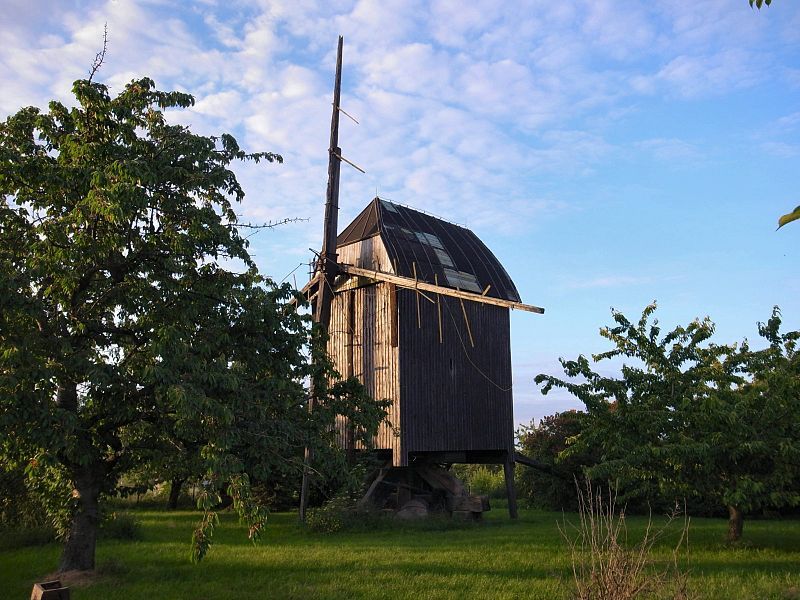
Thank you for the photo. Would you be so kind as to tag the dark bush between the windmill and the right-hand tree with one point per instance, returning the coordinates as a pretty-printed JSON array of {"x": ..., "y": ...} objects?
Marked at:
[{"x": 546, "y": 443}]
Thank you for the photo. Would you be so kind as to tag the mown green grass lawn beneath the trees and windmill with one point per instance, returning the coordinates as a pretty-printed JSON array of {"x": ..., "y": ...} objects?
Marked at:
[{"x": 497, "y": 558}]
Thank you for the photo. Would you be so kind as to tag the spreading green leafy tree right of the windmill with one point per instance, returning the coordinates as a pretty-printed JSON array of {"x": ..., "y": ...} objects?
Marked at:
[{"x": 689, "y": 418}]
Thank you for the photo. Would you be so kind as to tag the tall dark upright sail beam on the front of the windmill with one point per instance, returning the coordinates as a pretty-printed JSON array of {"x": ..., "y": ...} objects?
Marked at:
[{"x": 327, "y": 260}]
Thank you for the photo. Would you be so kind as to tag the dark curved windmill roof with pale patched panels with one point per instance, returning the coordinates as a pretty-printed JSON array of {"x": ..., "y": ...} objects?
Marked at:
[{"x": 439, "y": 251}]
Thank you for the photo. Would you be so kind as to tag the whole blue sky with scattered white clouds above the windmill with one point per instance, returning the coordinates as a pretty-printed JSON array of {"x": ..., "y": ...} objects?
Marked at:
[{"x": 610, "y": 153}]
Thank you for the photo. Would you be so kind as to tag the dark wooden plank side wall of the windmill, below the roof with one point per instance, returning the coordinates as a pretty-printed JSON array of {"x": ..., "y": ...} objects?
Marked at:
[{"x": 455, "y": 397}]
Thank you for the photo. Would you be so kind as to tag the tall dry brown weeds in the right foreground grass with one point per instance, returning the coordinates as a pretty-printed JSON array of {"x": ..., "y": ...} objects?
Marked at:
[{"x": 606, "y": 565}]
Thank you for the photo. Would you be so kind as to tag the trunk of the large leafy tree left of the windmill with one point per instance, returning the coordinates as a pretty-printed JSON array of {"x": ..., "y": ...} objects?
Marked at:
[{"x": 82, "y": 539}]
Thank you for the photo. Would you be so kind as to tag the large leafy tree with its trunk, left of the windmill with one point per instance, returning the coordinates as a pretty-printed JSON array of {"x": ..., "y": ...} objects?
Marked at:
[{"x": 122, "y": 320}]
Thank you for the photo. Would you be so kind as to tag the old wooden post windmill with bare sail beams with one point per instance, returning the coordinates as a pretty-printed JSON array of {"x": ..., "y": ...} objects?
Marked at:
[{"x": 417, "y": 308}]
